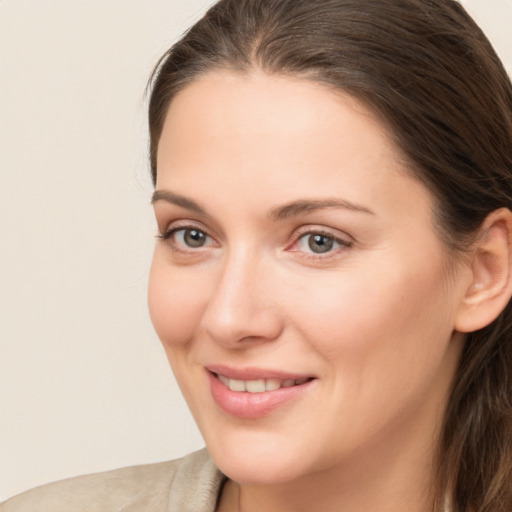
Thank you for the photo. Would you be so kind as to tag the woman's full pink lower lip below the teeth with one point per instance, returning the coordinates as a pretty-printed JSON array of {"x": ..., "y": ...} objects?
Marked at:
[{"x": 250, "y": 406}]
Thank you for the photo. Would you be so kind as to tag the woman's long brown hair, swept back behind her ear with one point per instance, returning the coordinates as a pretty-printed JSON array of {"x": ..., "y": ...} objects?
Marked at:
[{"x": 431, "y": 75}]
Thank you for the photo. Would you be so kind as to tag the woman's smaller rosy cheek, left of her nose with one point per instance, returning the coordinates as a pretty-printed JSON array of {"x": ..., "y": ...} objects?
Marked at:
[{"x": 176, "y": 303}]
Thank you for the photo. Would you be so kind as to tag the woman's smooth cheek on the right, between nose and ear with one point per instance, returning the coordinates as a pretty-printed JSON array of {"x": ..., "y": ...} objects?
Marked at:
[{"x": 377, "y": 316}]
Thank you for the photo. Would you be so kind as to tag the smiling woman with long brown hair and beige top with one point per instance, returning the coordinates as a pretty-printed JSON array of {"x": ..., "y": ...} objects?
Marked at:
[{"x": 332, "y": 280}]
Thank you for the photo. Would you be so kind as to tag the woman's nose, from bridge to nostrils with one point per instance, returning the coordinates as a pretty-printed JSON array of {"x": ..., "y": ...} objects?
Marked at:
[{"x": 241, "y": 307}]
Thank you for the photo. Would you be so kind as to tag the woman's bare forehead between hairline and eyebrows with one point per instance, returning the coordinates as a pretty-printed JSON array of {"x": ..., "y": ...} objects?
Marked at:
[{"x": 286, "y": 136}]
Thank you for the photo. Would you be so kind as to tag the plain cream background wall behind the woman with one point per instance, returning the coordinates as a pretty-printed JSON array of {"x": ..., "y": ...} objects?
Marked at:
[{"x": 84, "y": 384}]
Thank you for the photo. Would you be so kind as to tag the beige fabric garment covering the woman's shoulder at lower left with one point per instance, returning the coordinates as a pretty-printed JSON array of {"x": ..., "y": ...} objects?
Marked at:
[{"x": 191, "y": 483}]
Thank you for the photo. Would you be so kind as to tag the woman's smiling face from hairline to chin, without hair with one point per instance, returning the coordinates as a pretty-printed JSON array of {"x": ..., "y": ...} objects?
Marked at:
[{"x": 298, "y": 254}]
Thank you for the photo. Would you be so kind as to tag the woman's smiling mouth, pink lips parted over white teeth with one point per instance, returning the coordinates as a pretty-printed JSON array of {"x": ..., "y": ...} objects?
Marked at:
[{"x": 251, "y": 397}]
